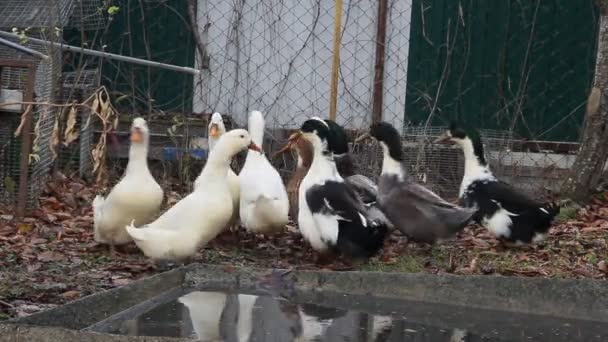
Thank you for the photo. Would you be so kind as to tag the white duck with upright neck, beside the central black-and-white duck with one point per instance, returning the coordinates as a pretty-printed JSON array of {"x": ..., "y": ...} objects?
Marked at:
[{"x": 264, "y": 205}]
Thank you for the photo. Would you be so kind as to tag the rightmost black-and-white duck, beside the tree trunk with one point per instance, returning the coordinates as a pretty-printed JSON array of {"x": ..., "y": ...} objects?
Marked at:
[{"x": 504, "y": 211}]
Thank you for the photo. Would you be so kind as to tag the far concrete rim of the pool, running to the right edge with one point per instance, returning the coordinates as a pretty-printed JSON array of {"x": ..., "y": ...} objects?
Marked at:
[{"x": 565, "y": 298}]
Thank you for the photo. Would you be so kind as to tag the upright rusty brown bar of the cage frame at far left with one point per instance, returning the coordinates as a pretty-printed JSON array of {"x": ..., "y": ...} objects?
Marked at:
[{"x": 26, "y": 144}]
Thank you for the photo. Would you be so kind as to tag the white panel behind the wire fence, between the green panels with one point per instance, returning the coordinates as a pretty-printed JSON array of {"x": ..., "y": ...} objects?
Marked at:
[{"x": 277, "y": 57}]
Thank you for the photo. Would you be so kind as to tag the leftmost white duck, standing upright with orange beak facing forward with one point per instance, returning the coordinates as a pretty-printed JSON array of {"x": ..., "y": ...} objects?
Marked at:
[{"x": 137, "y": 197}]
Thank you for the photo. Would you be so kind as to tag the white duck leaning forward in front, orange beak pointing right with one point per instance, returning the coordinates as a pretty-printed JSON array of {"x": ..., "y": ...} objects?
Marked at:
[{"x": 200, "y": 216}]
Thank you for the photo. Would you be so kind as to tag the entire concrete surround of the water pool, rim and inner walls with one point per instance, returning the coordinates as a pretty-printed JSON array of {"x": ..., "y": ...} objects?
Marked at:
[{"x": 583, "y": 301}]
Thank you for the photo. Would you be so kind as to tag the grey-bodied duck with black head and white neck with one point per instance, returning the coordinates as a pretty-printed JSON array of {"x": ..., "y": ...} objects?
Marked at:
[{"x": 413, "y": 209}]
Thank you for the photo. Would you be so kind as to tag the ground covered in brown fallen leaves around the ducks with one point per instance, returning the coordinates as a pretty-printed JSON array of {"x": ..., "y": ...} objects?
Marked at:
[{"x": 51, "y": 258}]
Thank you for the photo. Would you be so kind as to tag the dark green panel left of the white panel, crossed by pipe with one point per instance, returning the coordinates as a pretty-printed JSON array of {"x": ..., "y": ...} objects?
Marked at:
[{"x": 163, "y": 27}]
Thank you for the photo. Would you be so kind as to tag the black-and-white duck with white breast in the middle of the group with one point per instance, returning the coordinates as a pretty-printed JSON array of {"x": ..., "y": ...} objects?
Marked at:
[{"x": 331, "y": 216}]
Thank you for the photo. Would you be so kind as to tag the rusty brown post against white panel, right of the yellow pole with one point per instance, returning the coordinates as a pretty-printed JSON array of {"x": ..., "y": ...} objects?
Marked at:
[{"x": 378, "y": 96}]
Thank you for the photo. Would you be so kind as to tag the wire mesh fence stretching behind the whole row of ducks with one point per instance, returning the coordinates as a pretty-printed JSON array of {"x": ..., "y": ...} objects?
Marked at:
[{"x": 512, "y": 69}]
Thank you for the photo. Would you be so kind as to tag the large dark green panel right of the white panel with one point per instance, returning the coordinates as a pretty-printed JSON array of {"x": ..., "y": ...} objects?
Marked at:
[{"x": 500, "y": 60}]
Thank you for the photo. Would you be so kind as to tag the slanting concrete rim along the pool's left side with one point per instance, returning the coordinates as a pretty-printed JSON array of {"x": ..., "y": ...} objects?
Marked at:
[{"x": 96, "y": 307}]
